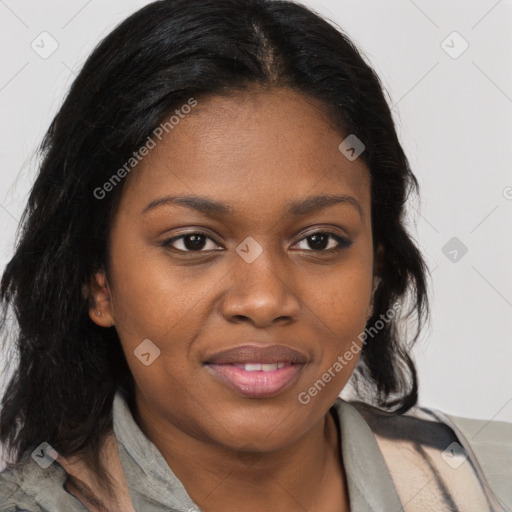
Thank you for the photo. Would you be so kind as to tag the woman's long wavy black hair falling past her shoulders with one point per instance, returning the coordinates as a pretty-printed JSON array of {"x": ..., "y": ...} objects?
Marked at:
[{"x": 67, "y": 368}]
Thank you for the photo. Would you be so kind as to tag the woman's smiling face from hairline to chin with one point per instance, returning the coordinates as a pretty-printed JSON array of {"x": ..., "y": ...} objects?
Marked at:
[{"x": 255, "y": 275}]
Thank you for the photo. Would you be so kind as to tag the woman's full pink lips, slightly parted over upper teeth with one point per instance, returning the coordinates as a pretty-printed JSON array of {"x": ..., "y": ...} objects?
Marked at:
[{"x": 257, "y": 371}]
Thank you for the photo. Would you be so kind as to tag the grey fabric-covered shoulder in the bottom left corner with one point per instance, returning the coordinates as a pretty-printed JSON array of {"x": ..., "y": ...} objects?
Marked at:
[{"x": 27, "y": 487}]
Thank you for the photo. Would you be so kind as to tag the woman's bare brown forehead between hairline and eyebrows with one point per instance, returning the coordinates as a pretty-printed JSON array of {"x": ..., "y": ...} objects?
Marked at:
[{"x": 273, "y": 142}]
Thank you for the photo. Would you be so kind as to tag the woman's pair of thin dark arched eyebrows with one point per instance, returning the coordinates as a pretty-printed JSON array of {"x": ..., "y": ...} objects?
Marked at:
[{"x": 214, "y": 208}]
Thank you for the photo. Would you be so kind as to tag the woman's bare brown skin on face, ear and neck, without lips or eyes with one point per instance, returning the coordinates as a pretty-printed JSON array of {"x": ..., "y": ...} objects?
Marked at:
[{"x": 254, "y": 150}]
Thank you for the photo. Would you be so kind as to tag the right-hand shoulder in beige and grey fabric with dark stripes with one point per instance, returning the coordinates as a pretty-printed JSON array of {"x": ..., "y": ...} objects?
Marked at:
[{"x": 426, "y": 446}]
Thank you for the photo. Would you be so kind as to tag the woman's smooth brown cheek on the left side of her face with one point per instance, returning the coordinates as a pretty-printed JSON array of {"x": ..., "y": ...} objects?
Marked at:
[{"x": 157, "y": 301}]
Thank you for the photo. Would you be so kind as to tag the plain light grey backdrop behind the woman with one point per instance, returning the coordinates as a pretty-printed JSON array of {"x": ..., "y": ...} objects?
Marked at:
[{"x": 454, "y": 119}]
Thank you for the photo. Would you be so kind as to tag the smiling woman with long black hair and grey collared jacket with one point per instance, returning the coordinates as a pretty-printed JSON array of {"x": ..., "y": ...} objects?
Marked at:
[{"x": 213, "y": 247}]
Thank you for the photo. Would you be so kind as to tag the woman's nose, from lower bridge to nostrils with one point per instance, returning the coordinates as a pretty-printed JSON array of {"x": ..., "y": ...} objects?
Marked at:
[{"x": 261, "y": 293}]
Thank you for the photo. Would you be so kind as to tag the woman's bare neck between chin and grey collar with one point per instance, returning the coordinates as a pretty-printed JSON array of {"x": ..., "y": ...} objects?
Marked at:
[{"x": 306, "y": 475}]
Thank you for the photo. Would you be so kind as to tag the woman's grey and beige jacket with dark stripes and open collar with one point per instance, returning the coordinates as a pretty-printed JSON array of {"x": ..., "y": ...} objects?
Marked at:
[{"x": 421, "y": 461}]
